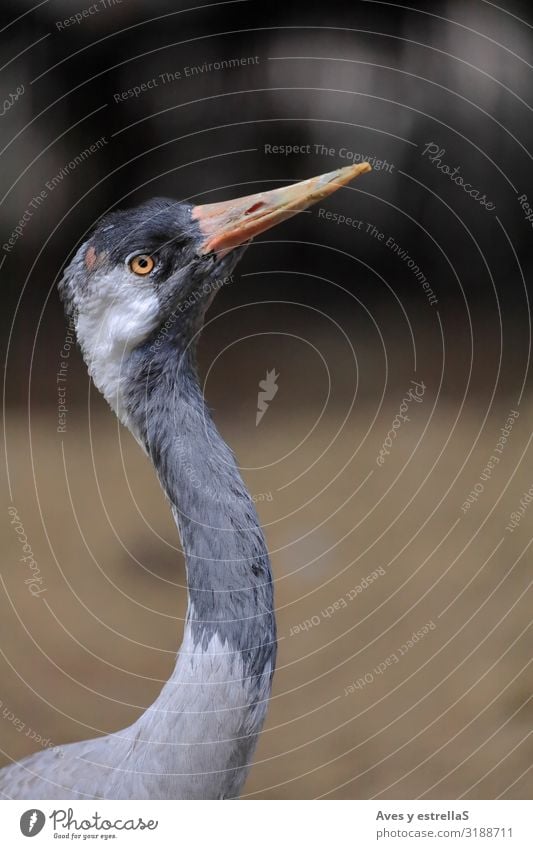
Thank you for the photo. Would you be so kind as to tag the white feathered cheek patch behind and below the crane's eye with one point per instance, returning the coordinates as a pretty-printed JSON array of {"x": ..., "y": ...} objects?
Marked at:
[{"x": 119, "y": 312}]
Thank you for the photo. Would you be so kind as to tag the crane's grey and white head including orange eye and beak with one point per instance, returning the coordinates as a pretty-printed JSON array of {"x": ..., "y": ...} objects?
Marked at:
[{"x": 155, "y": 269}]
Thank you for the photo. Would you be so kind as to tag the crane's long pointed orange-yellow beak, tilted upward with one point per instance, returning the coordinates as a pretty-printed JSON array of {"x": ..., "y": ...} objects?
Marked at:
[{"x": 229, "y": 224}]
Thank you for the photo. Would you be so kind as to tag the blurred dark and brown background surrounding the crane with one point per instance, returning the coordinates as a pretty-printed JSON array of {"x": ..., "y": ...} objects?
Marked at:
[{"x": 347, "y": 325}]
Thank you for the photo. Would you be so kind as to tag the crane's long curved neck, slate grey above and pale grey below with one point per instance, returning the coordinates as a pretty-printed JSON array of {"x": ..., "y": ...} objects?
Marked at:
[{"x": 214, "y": 704}]
